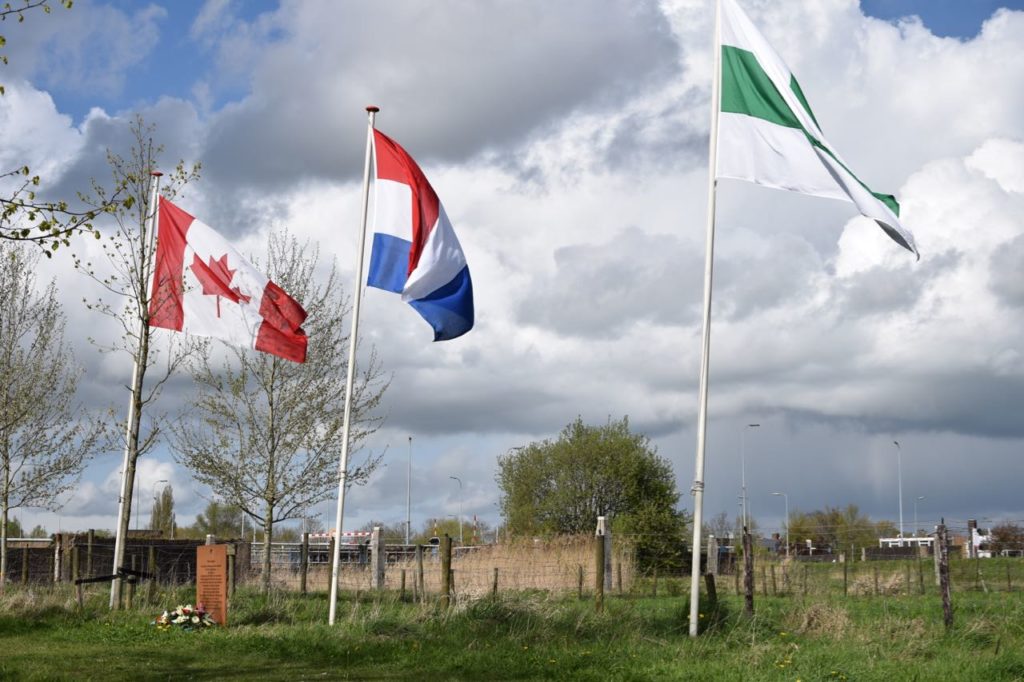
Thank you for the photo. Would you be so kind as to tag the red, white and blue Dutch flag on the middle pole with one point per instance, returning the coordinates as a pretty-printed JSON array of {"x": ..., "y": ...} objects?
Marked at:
[{"x": 415, "y": 250}]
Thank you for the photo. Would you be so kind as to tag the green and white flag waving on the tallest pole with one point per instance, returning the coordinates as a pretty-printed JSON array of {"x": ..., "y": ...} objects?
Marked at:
[{"x": 767, "y": 134}]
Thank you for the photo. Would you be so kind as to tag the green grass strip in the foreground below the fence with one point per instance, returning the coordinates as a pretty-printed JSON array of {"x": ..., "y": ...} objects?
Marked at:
[{"x": 527, "y": 636}]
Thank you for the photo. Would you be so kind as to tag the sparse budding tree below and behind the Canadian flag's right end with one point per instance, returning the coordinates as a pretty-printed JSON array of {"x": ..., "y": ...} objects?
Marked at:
[{"x": 269, "y": 432}]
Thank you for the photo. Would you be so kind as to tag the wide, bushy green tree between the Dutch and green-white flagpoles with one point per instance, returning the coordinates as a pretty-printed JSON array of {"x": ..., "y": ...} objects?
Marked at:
[{"x": 563, "y": 486}]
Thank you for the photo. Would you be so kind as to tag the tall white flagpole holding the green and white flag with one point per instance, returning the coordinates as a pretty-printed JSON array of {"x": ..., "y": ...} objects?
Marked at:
[{"x": 706, "y": 348}]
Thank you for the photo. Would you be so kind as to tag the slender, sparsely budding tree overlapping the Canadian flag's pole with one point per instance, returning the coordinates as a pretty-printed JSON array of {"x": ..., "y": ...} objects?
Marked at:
[{"x": 131, "y": 255}]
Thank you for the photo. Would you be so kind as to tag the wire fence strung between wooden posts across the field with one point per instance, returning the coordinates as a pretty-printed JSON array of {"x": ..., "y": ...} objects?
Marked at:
[{"x": 558, "y": 566}]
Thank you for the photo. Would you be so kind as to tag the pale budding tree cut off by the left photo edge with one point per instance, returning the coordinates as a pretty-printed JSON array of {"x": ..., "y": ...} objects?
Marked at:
[{"x": 46, "y": 437}]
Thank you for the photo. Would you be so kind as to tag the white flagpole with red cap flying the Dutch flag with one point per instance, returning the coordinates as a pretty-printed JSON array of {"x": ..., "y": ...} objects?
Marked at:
[{"x": 351, "y": 380}]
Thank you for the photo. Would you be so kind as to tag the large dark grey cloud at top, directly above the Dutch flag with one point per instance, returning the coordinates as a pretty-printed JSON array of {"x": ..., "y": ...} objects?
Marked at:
[{"x": 453, "y": 79}]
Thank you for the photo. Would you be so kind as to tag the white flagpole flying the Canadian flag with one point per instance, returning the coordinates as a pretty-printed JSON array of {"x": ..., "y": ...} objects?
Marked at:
[{"x": 127, "y": 483}]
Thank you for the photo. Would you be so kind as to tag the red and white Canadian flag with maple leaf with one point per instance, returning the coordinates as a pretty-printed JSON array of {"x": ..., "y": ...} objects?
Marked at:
[{"x": 203, "y": 286}]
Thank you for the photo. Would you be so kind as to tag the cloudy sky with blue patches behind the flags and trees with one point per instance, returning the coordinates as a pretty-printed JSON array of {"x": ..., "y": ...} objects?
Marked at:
[{"x": 570, "y": 149}]
